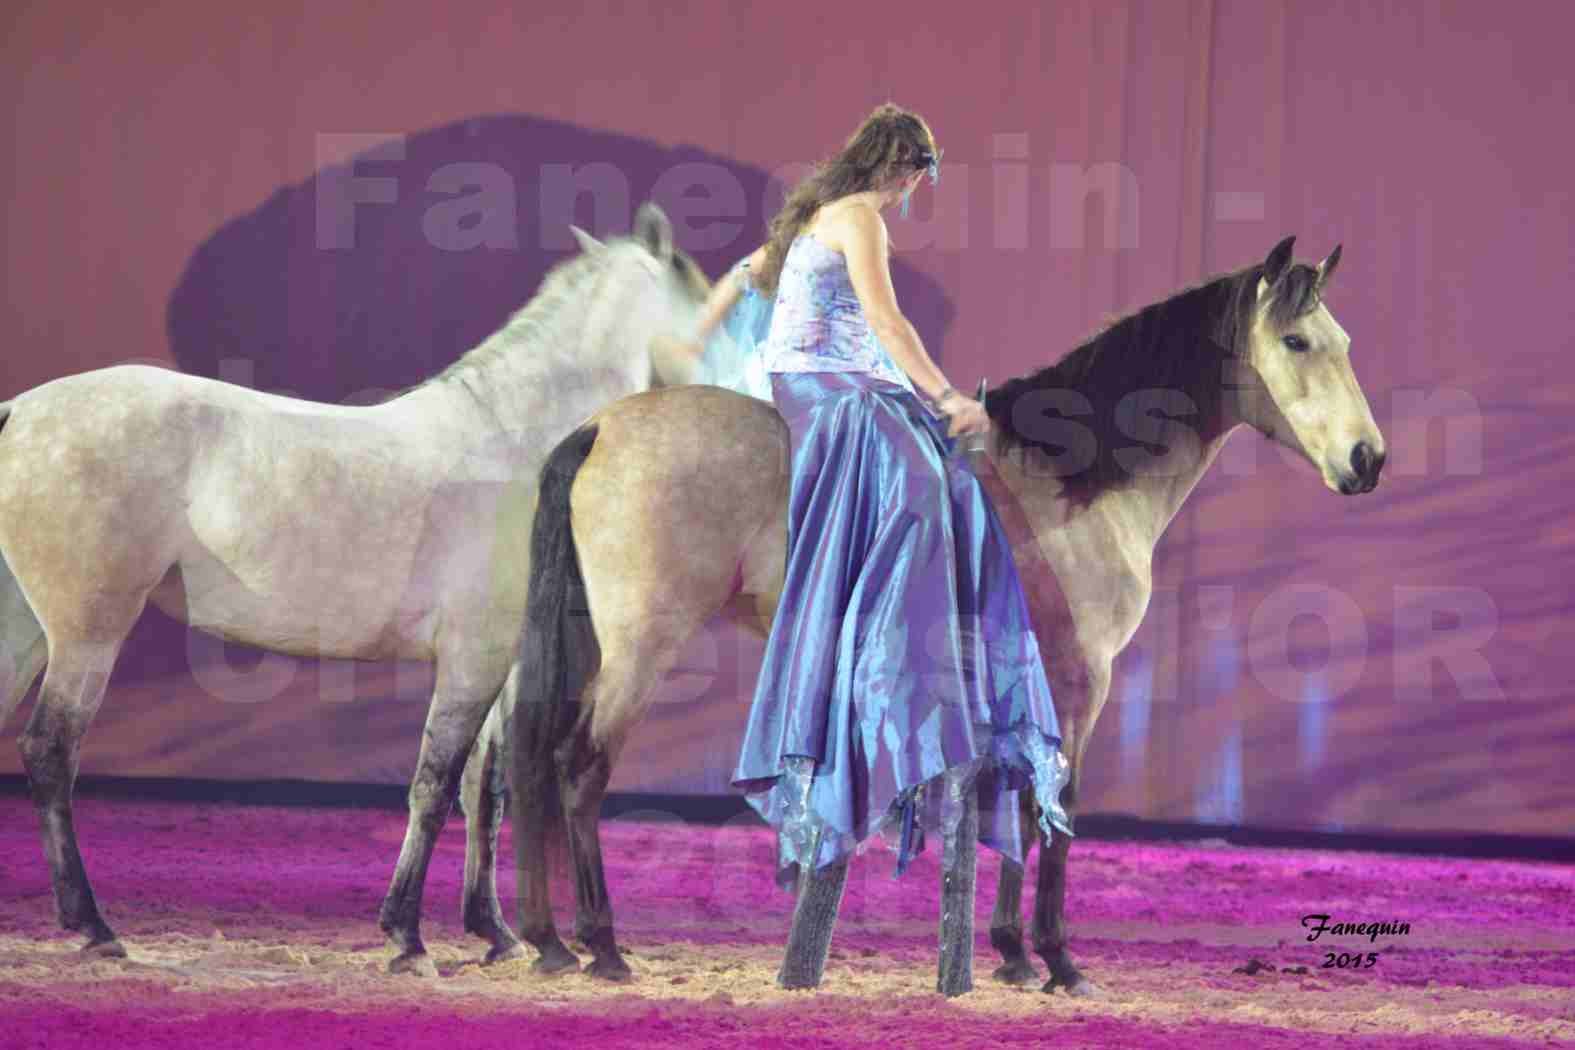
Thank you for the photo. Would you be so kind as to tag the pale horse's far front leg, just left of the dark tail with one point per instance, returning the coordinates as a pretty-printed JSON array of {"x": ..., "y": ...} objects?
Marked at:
[{"x": 483, "y": 796}]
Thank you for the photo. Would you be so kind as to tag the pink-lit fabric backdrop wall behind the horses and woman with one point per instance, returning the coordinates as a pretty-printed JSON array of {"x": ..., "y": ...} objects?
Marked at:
[{"x": 1393, "y": 662}]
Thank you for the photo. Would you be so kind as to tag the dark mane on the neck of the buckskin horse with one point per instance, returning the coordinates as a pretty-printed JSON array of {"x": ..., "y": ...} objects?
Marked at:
[{"x": 1177, "y": 349}]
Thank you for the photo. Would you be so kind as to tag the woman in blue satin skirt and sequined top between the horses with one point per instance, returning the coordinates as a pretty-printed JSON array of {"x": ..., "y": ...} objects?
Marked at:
[{"x": 902, "y": 686}]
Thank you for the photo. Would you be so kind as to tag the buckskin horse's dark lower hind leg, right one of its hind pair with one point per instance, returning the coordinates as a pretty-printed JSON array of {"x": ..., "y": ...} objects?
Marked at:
[{"x": 584, "y": 772}]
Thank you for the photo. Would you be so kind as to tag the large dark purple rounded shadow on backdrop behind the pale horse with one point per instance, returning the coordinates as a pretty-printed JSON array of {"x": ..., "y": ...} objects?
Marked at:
[{"x": 382, "y": 270}]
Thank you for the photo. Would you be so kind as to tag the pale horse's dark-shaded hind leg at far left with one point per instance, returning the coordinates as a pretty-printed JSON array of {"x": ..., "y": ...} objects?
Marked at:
[{"x": 51, "y": 750}]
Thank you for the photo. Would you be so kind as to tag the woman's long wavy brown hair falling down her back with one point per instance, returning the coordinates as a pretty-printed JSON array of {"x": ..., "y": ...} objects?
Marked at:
[{"x": 889, "y": 144}]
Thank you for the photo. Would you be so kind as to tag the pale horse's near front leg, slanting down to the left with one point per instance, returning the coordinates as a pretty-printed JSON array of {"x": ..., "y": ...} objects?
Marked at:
[{"x": 453, "y": 725}]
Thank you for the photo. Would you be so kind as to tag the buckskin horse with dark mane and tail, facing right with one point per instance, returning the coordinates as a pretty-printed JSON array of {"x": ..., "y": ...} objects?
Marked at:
[{"x": 669, "y": 508}]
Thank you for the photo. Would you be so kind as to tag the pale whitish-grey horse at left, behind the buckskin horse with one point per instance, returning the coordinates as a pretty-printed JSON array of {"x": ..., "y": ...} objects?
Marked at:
[{"x": 395, "y": 531}]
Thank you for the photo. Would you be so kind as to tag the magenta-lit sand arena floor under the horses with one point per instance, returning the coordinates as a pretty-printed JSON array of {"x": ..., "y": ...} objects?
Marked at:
[{"x": 258, "y": 928}]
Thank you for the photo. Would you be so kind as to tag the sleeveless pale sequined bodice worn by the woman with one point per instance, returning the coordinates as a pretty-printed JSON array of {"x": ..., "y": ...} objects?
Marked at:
[{"x": 818, "y": 324}]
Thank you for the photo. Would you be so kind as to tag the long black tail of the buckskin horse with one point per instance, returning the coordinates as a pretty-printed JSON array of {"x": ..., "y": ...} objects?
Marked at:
[{"x": 558, "y": 651}]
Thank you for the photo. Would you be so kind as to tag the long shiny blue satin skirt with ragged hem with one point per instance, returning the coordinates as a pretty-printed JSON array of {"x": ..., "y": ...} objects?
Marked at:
[{"x": 902, "y": 646}]
